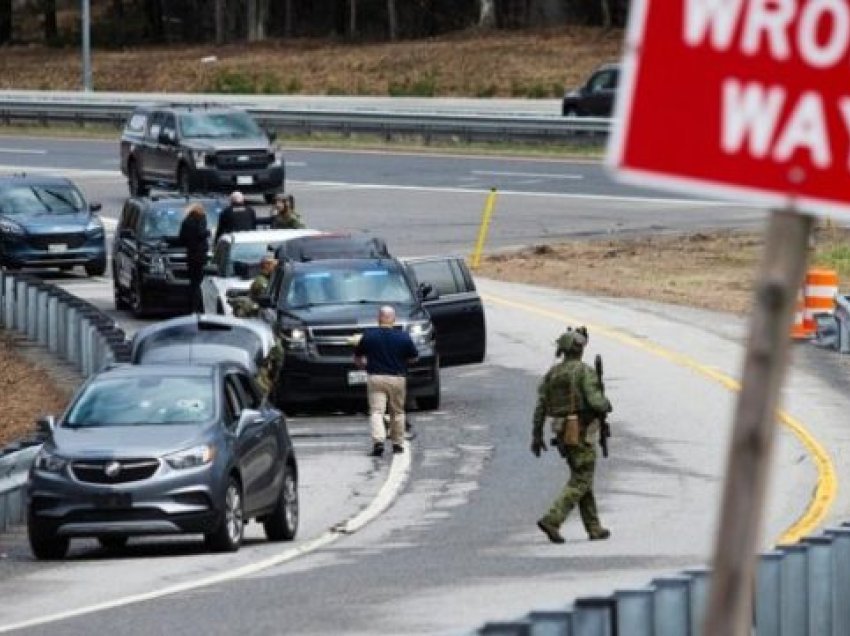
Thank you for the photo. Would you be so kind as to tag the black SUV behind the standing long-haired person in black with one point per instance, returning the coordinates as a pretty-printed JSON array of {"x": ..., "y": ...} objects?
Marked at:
[{"x": 148, "y": 268}]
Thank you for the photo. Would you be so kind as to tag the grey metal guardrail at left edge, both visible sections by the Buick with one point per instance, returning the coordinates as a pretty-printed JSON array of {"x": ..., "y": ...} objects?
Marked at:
[{"x": 69, "y": 328}]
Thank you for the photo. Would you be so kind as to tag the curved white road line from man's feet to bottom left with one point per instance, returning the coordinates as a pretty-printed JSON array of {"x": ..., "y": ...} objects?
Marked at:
[{"x": 399, "y": 471}]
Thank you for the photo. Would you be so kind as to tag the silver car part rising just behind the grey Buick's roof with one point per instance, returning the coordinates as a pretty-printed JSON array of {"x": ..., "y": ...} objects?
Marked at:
[{"x": 203, "y": 339}]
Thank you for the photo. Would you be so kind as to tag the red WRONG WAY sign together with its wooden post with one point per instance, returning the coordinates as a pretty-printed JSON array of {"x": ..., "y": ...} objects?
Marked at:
[{"x": 745, "y": 99}]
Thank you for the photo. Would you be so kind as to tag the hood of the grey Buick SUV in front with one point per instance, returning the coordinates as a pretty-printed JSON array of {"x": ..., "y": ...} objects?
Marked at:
[{"x": 124, "y": 441}]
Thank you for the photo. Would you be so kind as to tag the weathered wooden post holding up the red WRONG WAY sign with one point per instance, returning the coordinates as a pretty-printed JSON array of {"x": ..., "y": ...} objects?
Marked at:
[{"x": 730, "y": 601}]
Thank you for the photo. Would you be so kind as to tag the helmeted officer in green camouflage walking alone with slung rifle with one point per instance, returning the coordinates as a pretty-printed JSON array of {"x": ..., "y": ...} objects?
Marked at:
[{"x": 570, "y": 395}]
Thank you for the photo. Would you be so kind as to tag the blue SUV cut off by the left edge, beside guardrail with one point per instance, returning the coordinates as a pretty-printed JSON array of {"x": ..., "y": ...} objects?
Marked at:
[{"x": 47, "y": 222}]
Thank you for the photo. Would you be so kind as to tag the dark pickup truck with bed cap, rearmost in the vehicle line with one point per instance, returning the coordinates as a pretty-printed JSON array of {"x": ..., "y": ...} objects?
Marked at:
[{"x": 199, "y": 148}]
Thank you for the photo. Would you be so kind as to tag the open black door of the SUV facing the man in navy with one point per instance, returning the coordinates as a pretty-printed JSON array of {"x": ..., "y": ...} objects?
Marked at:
[{"x": 456, "y": 312}]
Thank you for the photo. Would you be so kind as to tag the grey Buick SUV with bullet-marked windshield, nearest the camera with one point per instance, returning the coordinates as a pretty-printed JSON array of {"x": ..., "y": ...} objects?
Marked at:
[{"x": 163, "y": 449}]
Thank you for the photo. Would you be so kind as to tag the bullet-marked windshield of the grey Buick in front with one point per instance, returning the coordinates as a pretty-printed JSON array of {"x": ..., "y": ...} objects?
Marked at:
[{"x": 142, "y": 400}]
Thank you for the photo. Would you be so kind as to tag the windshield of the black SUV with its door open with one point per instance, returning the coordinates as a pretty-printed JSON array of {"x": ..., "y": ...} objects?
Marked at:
[{"x": 347, "y": 285}]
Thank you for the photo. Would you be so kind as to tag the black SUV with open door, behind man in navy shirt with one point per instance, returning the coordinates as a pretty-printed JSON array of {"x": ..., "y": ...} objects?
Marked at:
[{"x": 320, "y": 306}]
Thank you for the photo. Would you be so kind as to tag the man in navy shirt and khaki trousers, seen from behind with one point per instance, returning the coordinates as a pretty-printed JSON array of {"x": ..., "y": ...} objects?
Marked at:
[{"x": 385, "y": 352}]
